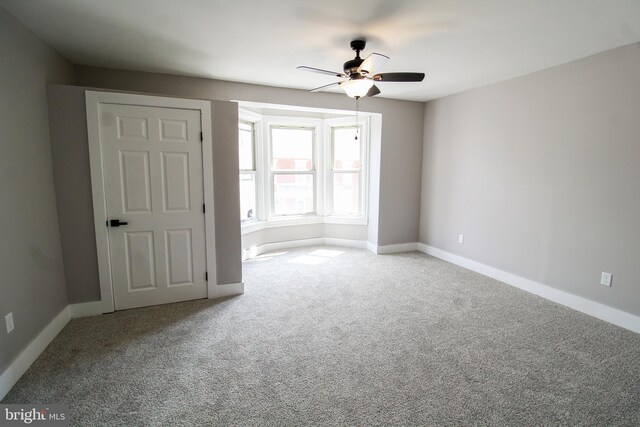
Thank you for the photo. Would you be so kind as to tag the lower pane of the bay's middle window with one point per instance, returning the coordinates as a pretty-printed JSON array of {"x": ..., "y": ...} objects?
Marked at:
[{"x": 292, "y": 194}]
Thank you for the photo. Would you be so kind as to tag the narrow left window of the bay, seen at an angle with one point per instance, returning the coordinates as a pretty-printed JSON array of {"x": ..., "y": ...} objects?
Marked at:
[{"x": 247, "y": 169}]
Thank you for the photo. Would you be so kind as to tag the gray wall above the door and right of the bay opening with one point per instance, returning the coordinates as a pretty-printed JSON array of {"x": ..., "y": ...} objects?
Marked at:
[{"x": 402, "y": 126}]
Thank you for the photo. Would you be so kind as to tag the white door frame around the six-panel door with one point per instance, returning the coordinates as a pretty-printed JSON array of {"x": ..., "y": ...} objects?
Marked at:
[{"x": 93, "y": 99}]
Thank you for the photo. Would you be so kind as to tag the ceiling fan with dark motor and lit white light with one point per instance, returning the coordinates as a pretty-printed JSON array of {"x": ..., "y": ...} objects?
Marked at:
[{"x": 359, "y": 73}]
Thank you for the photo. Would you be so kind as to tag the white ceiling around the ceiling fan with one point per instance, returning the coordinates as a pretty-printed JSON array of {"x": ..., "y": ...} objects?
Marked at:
[{"x": 459, "y": 44}]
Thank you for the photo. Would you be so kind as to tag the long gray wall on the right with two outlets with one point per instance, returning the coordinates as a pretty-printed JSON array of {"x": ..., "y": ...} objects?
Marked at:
[{"x": 542, "y": 176}]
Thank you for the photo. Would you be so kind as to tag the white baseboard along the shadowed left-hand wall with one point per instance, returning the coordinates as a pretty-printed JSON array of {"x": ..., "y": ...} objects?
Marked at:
[{"x": 19, "y": 366}]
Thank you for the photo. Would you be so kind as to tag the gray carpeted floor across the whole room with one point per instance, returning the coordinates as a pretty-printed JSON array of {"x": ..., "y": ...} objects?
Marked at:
[{"x": 337, "y": 336}]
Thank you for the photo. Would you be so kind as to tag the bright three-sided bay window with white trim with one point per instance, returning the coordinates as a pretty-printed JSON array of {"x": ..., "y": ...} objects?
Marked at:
[{"x": 297, "y": 170}]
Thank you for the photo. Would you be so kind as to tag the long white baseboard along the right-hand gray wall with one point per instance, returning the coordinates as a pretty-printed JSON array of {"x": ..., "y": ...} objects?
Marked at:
[{"x": 584, "y": 305}]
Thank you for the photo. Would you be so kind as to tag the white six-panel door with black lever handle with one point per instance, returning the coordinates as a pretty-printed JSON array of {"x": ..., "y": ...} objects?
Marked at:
[{"x": 153, "y": 180}]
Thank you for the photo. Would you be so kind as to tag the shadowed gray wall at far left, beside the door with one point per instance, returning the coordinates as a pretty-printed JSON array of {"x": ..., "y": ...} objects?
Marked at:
[{"x": 32, "y": 285}]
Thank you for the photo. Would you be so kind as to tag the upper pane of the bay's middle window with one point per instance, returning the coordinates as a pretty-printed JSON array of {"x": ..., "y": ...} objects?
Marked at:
[{"x": 292, "y": 149}]
